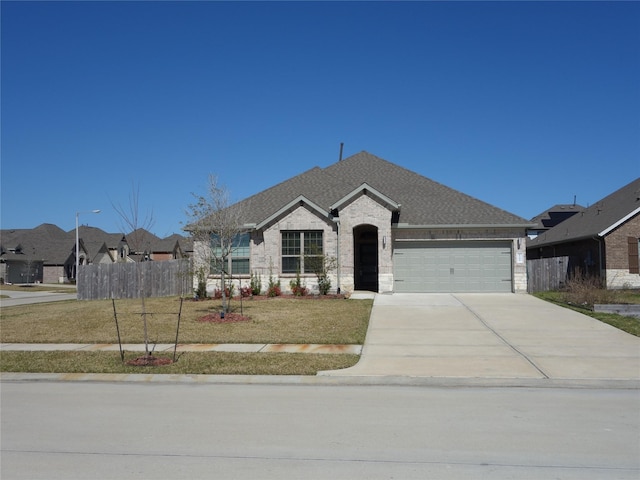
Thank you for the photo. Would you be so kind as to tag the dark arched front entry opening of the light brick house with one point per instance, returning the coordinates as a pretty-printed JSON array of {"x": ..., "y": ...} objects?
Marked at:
[{"x": 365, "y": 259}]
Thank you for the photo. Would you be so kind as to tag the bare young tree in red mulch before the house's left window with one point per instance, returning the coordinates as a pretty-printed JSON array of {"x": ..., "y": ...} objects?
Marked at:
[{"x": 215, "y": 226}]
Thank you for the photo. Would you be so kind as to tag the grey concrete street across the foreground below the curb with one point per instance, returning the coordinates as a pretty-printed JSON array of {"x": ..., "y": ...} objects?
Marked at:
[{"x": 68, "y": 430}]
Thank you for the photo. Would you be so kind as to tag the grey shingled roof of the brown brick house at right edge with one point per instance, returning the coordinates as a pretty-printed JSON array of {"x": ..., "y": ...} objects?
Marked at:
[{"x": 597, "y": 220}]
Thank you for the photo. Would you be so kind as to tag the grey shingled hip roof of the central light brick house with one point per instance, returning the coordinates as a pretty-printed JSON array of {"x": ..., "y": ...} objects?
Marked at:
[{"x": 423, "y": 202}]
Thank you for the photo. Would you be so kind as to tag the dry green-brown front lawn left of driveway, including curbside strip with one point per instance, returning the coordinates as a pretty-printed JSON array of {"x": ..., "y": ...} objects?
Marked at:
[{"x": 276, "y": 320}]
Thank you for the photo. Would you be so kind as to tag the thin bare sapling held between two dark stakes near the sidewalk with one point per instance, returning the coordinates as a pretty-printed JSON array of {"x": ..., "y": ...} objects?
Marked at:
[{"x": 132, "y": 221}]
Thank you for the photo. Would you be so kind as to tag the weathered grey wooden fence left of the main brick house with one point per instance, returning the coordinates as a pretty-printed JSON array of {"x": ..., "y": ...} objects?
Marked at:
[{"x": 124, "y": 280}]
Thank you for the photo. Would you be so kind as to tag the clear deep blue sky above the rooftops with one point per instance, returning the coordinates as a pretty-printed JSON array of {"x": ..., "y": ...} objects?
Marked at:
[{"x": 522, "y": 105}]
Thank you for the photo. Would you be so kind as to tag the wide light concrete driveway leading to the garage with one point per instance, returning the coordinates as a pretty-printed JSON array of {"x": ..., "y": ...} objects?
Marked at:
[{"x": 492, "y": 336}]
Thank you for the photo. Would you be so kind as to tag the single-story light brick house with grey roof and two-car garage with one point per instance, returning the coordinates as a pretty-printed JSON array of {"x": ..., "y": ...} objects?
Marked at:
[{"x": 388, "y": 228}]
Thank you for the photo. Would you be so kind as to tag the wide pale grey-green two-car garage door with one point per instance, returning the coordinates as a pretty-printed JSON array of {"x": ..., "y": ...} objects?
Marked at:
[{"x": 452, "y": 266}]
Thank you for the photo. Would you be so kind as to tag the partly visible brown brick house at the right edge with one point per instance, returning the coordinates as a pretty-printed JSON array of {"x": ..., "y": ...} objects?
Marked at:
[{"x": 600, "y": 241}]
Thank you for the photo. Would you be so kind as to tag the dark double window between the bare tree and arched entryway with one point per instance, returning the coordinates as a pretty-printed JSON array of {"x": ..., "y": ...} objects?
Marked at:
[{"x": 300, "y": 249}]
